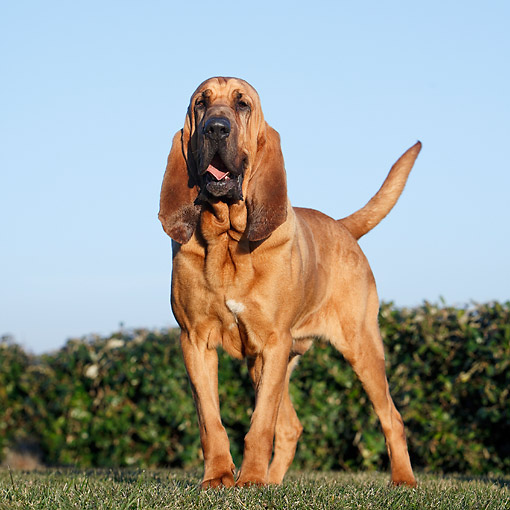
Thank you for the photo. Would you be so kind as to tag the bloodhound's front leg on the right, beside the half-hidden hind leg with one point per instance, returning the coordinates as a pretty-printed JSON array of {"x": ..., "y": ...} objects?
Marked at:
[{"x": 267, "y": 370}]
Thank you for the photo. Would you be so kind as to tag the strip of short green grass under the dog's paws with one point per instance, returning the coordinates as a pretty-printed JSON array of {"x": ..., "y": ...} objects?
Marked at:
[{"x": 136, "y": 489}]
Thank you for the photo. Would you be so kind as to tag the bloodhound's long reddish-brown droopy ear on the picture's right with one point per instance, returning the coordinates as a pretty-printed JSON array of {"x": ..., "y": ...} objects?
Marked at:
[{"x": 266, "y": 199}]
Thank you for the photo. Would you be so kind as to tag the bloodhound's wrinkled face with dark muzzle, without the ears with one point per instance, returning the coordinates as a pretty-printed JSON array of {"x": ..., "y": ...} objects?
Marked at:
[{"x": 225, "y": 118}]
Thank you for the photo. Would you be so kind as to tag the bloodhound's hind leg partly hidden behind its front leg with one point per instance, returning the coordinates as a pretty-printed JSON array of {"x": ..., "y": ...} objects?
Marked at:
[{"x": 287, "y": 432}]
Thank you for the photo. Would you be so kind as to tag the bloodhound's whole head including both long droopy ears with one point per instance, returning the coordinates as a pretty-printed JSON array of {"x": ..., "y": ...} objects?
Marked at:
[{"x": 225, "y": 152}]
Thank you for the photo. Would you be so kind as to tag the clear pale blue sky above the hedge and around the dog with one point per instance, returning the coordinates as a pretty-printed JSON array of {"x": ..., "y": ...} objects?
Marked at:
[{"x": 92, "y": 92}]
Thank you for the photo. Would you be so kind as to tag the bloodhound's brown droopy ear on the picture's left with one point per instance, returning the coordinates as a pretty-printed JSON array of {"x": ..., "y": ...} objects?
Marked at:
[{"x": 177, "y": 211}]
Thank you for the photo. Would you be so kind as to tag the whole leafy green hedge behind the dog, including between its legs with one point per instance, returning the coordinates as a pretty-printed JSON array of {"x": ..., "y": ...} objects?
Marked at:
[{"x": 124, "y": 400}]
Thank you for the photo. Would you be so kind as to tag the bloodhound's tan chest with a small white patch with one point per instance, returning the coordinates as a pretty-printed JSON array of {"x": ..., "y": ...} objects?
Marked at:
[{"x": 215, "y": 291}]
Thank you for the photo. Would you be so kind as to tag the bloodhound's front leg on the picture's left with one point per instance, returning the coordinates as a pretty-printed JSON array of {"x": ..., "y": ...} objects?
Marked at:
[{"x": 202, "y": 366}]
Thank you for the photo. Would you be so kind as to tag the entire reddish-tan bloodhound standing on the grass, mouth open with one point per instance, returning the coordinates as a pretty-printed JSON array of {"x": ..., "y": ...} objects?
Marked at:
[{"x": 262, "y": 279}]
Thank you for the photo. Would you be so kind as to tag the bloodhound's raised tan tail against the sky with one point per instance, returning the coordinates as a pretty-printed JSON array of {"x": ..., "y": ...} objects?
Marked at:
[{"x": 366, "y": 218}]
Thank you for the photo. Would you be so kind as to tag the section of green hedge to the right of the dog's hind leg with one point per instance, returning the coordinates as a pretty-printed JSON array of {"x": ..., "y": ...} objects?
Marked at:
[{"x": 455, "y": 382}]
